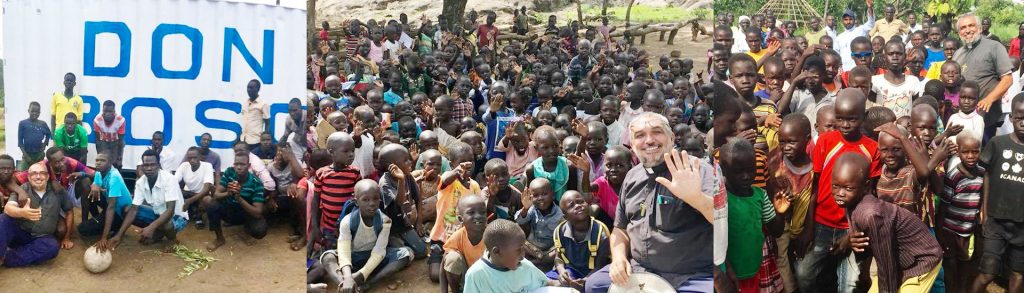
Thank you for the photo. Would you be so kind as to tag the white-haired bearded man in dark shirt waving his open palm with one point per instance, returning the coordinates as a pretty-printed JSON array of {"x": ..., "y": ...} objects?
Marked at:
[{"x": 664, "y": 225}]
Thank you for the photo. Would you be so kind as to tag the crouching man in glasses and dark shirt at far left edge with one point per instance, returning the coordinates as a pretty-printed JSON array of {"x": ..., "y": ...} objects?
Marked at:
[{"x": 28, "y": 224}]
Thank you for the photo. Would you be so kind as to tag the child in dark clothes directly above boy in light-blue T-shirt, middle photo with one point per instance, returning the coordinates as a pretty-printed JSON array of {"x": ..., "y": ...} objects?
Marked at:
[{"x": 503, "y": 200}]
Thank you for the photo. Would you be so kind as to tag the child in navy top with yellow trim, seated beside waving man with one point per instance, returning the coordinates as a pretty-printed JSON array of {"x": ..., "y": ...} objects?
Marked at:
[{"x": 581, "y": 241}]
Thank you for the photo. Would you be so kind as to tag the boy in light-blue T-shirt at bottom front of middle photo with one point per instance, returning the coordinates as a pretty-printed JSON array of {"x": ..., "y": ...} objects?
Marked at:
[{"x": 503, "y": 269}]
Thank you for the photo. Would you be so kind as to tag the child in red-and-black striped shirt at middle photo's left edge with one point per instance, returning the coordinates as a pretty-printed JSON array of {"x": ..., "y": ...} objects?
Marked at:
[{"x": 333, "y": 186}]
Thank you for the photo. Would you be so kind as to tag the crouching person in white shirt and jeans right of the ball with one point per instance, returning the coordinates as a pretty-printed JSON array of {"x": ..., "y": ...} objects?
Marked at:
[{"x": 157, "y": 207}]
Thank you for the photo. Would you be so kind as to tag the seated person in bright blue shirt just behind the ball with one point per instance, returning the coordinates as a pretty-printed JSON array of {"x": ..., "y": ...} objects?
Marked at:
[{"x": 109, "y": 192}]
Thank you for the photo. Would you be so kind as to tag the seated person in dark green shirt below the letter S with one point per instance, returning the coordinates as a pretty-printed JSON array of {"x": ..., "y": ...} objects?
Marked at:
[{"x": 239, "y": 200}]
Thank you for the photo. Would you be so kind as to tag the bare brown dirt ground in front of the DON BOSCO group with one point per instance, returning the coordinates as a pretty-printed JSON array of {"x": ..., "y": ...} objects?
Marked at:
[{"x": 269, "y": 266}]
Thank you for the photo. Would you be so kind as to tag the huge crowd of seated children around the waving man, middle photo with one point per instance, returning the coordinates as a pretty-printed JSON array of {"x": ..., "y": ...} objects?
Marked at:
[{"x": 495, "y": 159}]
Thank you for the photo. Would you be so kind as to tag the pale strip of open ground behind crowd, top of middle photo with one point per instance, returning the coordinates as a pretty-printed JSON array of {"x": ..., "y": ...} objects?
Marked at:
[{"x": 641, "y": 14}]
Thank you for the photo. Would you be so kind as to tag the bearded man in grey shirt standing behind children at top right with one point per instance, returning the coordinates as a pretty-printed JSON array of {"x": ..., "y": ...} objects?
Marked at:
[{"x": 988, "y": 63}]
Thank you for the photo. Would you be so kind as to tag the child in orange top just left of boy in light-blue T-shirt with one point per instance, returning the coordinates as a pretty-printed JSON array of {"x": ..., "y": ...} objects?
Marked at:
[{"x": 465, "y": 246}]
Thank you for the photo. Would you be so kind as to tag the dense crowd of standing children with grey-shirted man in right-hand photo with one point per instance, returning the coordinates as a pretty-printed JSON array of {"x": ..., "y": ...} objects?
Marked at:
[{"x": 879, "y": 157}]
